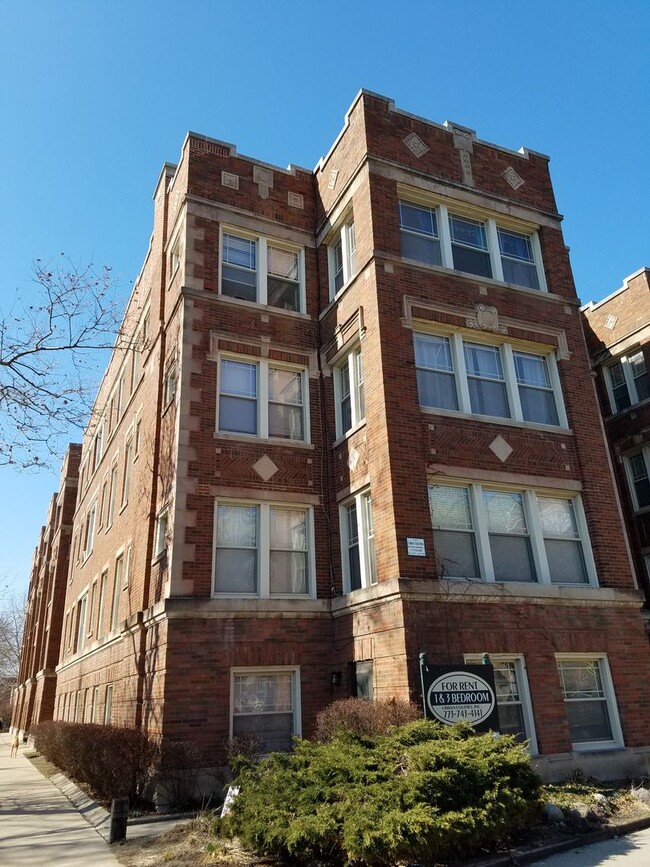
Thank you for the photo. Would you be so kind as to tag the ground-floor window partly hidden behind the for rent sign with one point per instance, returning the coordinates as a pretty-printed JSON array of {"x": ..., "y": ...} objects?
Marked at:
[{"x": 513, "y": 697}]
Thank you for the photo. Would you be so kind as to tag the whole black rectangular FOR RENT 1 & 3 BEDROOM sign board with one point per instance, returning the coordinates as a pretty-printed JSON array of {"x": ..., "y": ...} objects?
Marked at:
[{"x": 460, "y": 694}]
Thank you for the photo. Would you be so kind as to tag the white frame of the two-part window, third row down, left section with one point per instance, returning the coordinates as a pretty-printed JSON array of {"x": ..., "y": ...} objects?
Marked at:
[{"x": 264, "y": 550}]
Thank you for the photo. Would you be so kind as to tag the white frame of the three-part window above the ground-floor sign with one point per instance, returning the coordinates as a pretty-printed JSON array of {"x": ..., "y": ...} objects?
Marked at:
[{"x": 535, "y": 533}]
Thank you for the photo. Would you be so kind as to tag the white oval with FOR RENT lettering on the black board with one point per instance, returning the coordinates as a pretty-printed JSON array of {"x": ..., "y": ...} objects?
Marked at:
[{"x": 461, "y": 696}]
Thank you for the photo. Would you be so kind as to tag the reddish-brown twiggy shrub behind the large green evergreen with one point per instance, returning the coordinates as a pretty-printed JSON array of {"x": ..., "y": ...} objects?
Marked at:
[{"x": 364, "y": 717}]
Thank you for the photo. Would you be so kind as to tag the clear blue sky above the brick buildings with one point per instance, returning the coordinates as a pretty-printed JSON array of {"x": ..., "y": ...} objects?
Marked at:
[{"x": 95, "y": 96}]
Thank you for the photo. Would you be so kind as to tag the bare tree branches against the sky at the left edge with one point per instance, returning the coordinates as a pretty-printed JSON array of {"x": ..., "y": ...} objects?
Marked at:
[{"x": 51, "y": 359}]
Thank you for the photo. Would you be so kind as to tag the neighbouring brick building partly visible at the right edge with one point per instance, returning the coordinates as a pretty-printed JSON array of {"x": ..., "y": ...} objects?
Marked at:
[{"x": 618, "y": 337}]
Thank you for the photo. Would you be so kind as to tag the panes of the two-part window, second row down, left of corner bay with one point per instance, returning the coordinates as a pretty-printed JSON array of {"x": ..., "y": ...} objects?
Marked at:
[{"x": 260, "y": 399}]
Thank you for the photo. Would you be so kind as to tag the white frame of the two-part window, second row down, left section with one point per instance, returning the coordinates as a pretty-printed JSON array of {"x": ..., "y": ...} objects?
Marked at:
[{"x": 262, "y": 400}]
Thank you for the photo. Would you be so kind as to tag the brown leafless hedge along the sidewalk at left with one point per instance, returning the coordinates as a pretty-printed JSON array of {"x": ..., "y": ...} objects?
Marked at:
[{"x": 114, "y": 762}]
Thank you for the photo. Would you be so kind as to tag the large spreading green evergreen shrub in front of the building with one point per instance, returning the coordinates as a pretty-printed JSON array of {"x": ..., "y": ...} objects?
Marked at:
[{"x": 422, "y": 792}]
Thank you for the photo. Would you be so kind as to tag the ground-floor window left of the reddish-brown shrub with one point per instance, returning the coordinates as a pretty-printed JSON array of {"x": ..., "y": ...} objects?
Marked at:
[{"x": 266, "y": 704}]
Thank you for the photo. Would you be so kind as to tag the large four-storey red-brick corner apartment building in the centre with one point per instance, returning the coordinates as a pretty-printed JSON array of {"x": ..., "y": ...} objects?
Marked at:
[{"x": 355, "y": 422}]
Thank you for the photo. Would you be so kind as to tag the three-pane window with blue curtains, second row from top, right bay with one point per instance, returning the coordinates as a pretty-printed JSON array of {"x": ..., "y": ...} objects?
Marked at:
[{"x": 458, "y": 375}]
